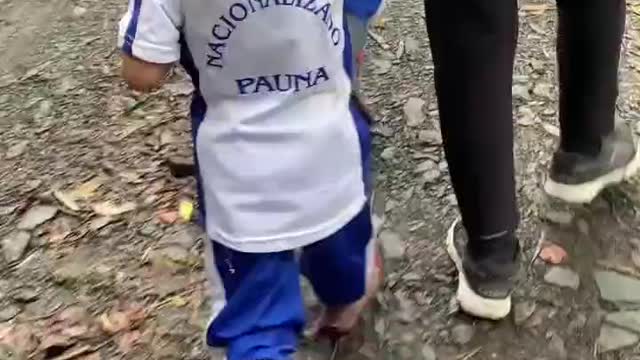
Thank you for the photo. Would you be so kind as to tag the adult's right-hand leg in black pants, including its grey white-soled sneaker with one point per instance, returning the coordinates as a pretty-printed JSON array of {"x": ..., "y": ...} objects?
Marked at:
[{"x": 593, "y": 153}]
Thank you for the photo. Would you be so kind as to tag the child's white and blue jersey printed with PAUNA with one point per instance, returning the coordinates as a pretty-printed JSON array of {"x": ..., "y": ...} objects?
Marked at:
[{"x": 280, "y": 156}]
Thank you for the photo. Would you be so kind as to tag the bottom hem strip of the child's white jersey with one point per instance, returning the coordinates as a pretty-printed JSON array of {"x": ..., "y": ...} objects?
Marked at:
[{"x": 291, "y": 241}]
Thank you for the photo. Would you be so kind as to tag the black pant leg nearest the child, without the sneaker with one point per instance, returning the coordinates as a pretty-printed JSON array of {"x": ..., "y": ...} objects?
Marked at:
[{"x": 473, "y": 44}]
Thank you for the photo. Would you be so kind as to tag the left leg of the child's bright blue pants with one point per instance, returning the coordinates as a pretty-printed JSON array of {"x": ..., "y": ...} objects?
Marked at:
[{"x": 264, "y": 312}]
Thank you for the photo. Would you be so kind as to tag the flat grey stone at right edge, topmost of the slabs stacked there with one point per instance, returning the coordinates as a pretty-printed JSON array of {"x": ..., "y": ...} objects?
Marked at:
[{"x": 616, "y": 287}]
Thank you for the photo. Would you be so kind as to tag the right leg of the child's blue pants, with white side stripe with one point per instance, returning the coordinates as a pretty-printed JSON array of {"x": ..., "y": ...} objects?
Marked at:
[{"x": 337, "y": 266}]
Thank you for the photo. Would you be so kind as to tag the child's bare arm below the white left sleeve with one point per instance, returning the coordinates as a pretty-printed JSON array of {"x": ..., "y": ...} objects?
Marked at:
[{"x": 142, "y": 75}]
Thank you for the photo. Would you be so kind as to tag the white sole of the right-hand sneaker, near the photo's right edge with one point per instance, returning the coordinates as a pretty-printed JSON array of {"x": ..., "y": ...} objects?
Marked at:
[{"x": 585, "y": 193}]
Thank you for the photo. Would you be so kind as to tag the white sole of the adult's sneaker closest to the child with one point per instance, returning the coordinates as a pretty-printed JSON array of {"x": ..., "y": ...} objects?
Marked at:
[{"x": 471, "y": 302}]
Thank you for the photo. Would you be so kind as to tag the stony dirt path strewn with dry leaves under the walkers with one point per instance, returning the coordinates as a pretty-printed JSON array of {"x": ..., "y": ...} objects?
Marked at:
[{"x": 95, "y": 265}]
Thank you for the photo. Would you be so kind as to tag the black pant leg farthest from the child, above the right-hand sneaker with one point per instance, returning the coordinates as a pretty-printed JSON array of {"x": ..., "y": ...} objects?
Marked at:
[{"x": 589, "y": 40}]
